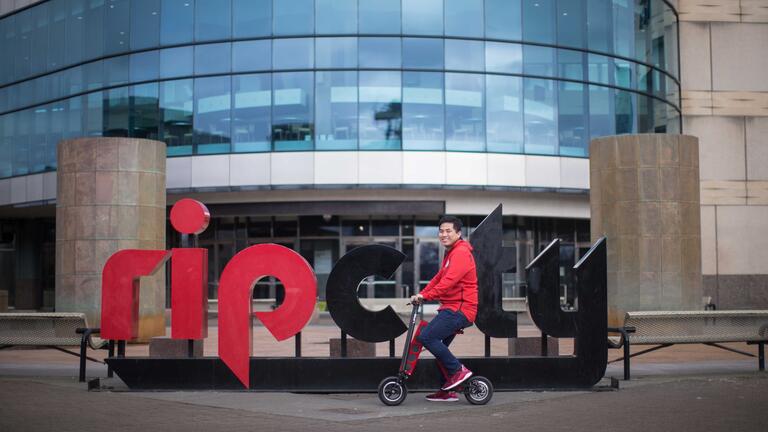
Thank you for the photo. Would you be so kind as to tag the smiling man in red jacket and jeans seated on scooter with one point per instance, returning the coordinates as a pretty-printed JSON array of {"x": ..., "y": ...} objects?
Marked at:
[{"x": 455, "y": 287}]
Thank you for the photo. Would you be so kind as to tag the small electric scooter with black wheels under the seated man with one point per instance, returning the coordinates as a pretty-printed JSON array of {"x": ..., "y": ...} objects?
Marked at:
[{"x": 392, "y": 390}]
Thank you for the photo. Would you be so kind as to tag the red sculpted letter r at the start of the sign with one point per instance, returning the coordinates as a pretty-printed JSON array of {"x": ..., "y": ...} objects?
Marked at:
[{"x": 120, "y": 290}]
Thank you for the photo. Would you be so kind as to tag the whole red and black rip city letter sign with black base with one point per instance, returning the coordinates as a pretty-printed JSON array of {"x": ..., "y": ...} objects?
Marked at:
[{"x": 235, "y": 368}]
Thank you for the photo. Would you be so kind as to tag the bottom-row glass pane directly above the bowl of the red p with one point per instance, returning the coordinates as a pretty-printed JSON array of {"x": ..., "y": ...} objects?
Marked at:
[{"x": 292, "y": 111}]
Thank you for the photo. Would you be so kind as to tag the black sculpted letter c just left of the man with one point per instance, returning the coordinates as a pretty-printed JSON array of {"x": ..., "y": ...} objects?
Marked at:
[{"x": 341, "y": 293}]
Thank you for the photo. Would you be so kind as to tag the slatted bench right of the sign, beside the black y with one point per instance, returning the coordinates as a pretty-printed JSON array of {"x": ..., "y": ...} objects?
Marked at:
[{"x": 666, "y": 328}]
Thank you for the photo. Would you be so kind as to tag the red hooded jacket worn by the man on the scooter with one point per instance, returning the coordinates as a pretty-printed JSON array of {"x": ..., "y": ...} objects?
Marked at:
[{"x": 455, "y": 285}]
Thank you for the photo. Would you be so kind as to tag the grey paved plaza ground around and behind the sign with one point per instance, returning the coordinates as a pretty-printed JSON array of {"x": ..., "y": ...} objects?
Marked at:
[{"x": 691, "y": 387}]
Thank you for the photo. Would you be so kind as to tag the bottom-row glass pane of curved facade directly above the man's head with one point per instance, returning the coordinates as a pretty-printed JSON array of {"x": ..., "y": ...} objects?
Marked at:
[{"x": 464, "y": 106}]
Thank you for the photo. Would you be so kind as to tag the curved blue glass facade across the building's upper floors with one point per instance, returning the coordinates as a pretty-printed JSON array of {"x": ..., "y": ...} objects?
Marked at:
[{"x": 221, "y": 76}]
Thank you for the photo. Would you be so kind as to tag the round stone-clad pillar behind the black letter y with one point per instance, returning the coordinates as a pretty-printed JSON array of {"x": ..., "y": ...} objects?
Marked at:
[{"x": 644, "y": 196}]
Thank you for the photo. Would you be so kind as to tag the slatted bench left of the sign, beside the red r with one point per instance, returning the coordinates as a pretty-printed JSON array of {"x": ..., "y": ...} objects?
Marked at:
[{"x": 52, "y": 330}]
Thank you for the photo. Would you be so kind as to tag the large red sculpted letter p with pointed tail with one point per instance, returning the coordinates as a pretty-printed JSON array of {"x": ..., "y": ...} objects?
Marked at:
[{"x": 235, "y": 307}]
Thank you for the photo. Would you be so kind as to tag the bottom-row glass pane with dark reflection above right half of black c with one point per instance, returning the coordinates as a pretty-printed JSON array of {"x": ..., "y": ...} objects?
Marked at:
[{"x": 380, "y": 110}]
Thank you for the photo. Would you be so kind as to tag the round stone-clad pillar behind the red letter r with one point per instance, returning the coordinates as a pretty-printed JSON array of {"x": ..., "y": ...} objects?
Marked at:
[{"x": 111, "y": 196}]
